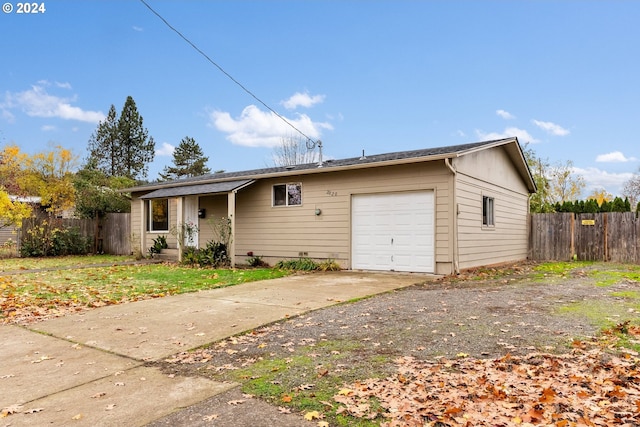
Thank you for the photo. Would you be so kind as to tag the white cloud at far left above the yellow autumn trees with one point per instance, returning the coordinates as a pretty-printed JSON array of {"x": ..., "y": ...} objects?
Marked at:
[{"x": 37, "y": 102}]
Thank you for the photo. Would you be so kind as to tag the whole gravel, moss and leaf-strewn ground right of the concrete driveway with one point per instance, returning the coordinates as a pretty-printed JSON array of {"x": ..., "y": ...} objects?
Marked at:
[{"x": 521, "y": 346}]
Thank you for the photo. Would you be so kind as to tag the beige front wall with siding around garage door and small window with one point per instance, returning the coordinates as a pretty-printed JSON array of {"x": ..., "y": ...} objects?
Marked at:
[{"x": 296, "y": 231}]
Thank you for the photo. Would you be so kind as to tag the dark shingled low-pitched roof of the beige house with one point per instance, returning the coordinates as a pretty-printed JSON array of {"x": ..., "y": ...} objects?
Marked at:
[{"x": 366, "y": 161}]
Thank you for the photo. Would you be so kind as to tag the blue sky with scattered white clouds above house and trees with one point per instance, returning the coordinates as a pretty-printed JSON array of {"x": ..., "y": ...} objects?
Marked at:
[{"x": 378, "y": 76}]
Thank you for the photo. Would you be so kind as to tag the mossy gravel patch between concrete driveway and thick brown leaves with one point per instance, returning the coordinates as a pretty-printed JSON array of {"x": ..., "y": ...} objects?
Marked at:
[{"x": 514, "y": 313}]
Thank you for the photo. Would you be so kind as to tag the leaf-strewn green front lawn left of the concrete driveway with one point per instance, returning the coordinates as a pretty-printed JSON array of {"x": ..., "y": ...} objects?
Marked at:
[{"x": 30, "y": 296}]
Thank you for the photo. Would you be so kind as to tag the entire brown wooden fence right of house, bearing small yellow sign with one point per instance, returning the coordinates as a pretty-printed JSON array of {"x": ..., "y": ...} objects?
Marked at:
[{"x": 611, "y": 236}]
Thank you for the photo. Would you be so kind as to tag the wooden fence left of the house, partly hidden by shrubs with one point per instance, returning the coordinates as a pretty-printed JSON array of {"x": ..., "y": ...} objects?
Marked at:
[{"x": 111, "y": 235}]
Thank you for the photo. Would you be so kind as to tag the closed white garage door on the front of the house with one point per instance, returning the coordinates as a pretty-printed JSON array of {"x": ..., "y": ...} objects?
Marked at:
[{"x": 393, "y": 232}]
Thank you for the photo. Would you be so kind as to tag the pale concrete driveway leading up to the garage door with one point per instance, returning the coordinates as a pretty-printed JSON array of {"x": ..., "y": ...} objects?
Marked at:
[{"x": 89, "y": 369}]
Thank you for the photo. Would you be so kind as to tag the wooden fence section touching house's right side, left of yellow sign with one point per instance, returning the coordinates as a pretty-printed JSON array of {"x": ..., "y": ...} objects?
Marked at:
[{"x": 550, "y": 236}]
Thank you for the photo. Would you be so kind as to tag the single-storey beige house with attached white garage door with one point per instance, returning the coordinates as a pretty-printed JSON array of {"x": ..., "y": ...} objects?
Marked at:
[{"x": 437, "y": 210}]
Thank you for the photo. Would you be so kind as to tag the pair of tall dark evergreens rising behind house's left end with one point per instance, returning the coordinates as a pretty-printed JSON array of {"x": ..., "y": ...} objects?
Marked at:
[{"x": 122, "y": 146}]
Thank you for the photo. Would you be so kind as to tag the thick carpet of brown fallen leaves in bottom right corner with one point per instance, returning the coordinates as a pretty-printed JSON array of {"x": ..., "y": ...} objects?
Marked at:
[{"x": 587, "y": 387}]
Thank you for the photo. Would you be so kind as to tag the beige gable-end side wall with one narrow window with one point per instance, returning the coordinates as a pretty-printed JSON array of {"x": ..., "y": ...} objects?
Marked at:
[{"x": 490, "y": 173}]
